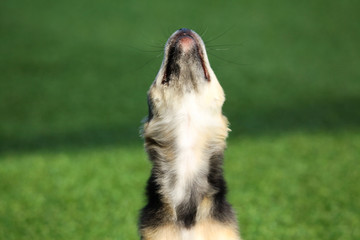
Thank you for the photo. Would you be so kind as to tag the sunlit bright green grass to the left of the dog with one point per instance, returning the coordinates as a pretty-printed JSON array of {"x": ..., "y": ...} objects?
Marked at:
[{"x": 92, "y": 194}]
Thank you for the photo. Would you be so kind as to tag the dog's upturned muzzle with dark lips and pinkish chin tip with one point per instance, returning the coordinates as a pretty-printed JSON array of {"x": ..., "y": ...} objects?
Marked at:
[{"x": 185, "y": 57}]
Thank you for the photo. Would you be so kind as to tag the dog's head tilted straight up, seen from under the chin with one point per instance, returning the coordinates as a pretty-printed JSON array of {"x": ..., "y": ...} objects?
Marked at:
[{"x": 185, "y": 75}]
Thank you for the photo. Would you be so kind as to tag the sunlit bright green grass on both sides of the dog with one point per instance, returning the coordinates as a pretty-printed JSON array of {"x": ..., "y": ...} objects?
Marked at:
[{"x": 299, "y": 186}]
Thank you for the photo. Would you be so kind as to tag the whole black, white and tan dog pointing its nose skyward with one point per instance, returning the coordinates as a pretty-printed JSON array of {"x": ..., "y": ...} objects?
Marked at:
[{"x": 185, "y": 135}]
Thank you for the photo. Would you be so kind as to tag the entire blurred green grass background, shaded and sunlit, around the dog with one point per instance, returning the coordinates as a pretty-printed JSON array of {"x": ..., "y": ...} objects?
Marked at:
[{"x": 73, "y": 82}]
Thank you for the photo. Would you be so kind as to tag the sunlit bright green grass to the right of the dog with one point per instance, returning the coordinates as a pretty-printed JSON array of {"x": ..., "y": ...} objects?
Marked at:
[{"x": 303, "y": 184}]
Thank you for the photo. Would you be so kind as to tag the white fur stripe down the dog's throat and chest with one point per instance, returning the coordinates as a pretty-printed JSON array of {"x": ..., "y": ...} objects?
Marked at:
[{"x": 195, "y": 125}]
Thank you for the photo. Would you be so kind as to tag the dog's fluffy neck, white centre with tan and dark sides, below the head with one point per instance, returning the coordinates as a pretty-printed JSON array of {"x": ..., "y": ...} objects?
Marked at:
[{"x": 180, "y": 144}]
